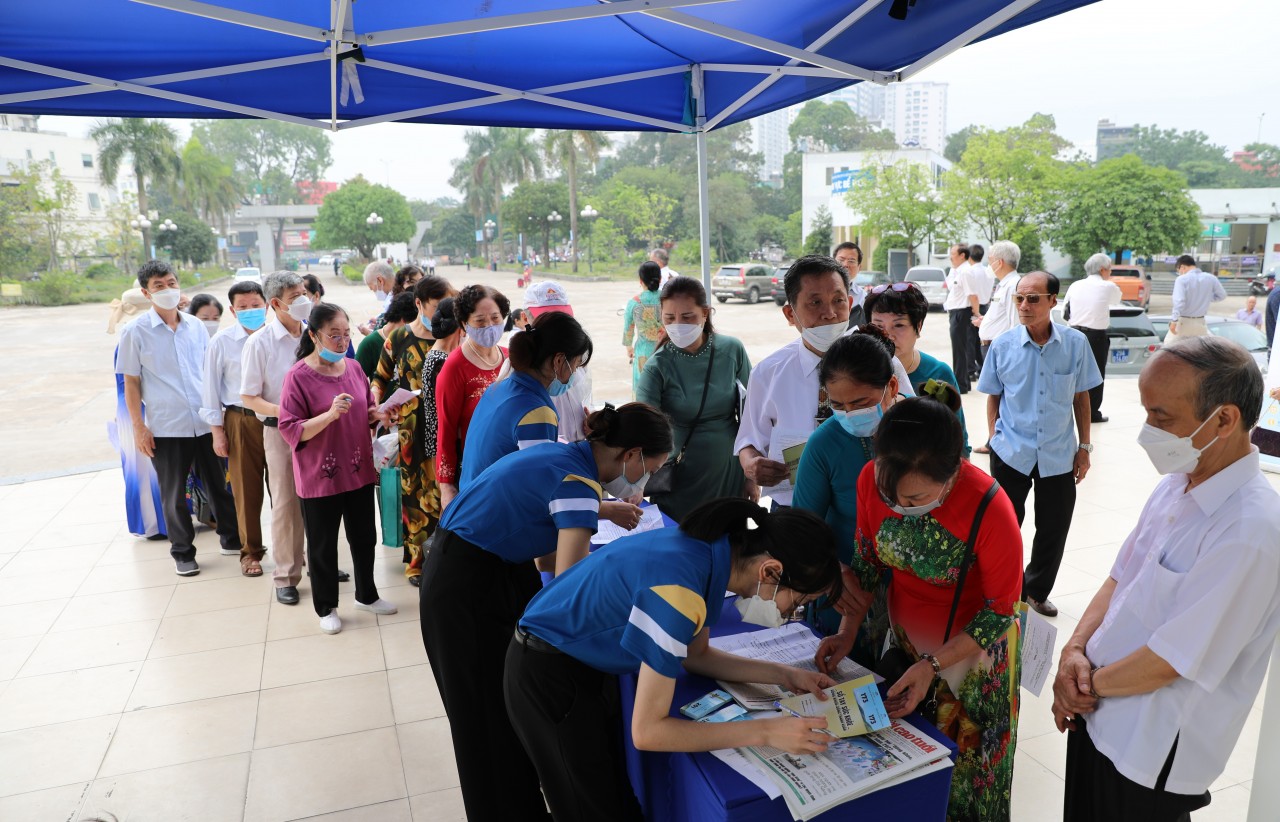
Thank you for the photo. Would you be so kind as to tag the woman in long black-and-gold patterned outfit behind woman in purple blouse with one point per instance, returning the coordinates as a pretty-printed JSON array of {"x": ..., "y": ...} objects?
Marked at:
[{"x": 401, "y": 367}]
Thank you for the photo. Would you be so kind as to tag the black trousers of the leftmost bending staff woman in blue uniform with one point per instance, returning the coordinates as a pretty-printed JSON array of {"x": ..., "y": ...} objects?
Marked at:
[{"x": 470, "y": 602}]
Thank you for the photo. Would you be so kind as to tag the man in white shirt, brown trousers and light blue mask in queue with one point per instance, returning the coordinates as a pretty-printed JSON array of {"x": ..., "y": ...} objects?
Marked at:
[{"x": 237, "y": 431}]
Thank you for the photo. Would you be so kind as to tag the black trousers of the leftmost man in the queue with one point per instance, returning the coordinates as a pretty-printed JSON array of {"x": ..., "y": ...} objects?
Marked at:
[{"x": 173, "y": 460}]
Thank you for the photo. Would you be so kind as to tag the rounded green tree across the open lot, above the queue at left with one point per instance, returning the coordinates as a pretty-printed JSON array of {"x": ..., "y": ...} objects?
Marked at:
[{"x": 342, "y": 220}]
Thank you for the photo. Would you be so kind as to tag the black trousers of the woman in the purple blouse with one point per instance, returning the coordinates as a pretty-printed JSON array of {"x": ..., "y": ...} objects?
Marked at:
[{"x": 354, "y": 510}]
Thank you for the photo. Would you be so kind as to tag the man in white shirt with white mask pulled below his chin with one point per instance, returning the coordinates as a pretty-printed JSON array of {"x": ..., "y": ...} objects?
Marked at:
[{"x": 785, "y": 401}]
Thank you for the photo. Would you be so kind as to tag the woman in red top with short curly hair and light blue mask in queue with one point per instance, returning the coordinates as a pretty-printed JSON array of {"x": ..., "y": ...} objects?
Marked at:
[{"x": 482, "y": 312}]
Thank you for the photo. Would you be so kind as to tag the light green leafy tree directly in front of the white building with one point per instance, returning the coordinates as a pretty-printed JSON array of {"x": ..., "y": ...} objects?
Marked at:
[{"x": 900, "y": 200}]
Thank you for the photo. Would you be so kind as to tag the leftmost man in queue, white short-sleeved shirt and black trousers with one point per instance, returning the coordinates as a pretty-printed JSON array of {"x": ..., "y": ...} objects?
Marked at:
[{"x": 162, "y": 358}]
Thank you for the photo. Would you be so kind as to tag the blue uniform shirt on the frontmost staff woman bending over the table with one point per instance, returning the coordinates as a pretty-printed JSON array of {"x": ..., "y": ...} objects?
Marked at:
[{"x": 639, "y": 600}]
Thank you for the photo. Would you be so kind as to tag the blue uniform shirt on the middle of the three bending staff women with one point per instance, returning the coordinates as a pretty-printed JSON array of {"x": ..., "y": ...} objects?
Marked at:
[{"x": 518, "y": 506}]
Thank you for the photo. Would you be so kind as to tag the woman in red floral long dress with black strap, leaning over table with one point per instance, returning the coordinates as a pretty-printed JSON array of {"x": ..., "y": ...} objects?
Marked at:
[{"x": 949, "y": 540}]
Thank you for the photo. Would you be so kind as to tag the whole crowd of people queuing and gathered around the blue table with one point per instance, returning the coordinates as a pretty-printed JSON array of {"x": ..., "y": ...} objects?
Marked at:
[{"x": 902, "y": 552}]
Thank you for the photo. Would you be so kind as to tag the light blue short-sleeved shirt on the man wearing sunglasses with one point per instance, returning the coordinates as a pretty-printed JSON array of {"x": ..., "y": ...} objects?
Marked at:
[{"x": 1037, "y": 386}]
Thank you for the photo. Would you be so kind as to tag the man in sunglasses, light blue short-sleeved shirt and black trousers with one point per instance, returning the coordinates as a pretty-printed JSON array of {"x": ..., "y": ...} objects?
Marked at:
[{"x": 1037, "y": 378}]
